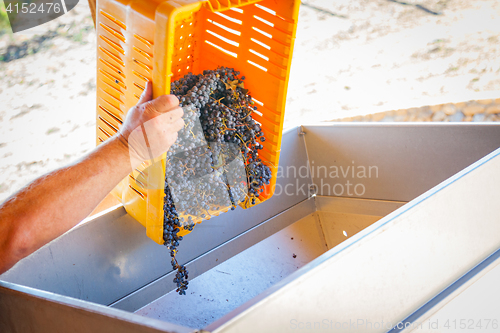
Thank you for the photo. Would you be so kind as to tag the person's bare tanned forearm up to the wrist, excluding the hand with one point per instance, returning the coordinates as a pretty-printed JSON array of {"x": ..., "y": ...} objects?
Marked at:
[{"x": 56, "y": 202}]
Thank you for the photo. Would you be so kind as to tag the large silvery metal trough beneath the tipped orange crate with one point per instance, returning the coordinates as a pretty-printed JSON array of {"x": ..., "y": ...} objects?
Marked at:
[{"x": 378, "y": 224}]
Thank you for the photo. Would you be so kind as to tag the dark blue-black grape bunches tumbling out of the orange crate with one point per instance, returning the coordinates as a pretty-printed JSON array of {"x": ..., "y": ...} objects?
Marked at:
[{"x": 215, "y": 161}]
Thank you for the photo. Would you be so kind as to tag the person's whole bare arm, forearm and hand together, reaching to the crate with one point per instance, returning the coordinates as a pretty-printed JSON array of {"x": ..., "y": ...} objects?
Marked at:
[{"x": 56, "y": 202}]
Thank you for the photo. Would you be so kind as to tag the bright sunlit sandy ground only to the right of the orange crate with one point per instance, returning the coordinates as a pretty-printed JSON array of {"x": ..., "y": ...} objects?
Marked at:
[{"x": 381, "y": 55}]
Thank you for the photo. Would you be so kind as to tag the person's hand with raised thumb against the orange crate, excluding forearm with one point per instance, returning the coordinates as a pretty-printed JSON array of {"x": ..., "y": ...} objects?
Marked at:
[{"x": 151, "y": 126}]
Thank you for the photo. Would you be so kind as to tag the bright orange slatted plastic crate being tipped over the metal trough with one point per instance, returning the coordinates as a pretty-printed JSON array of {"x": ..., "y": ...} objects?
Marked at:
[{"x": 162, "y": 41}]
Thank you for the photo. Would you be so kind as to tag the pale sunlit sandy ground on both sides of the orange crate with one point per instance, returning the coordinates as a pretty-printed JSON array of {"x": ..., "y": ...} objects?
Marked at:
[{"x": 351, "y": 57}]
